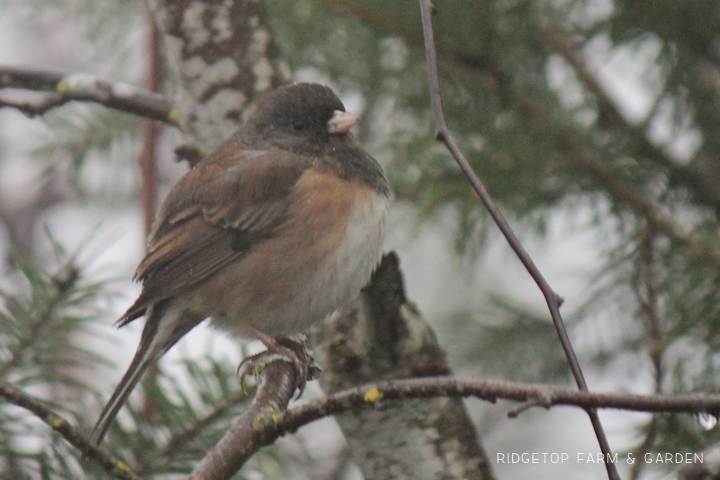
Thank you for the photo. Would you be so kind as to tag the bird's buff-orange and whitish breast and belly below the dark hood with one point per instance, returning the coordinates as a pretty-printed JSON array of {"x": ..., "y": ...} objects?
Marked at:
[{"x": 316, "y": 262}]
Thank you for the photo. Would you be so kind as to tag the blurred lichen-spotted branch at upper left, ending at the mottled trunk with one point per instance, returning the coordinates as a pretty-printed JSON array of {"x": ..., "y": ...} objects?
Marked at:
[{"x": 66, "y": 87}]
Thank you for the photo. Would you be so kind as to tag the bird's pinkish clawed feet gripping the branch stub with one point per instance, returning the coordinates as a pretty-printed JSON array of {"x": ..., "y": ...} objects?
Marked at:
[{"x": 292, "y": 350}]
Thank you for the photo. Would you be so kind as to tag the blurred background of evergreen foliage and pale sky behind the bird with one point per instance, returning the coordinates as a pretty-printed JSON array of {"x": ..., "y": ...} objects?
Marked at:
[{"x": 595, "y": 124}]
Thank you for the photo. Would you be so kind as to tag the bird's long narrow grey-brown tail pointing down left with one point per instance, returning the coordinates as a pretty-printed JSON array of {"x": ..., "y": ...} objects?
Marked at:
[{"x": 163, "y": 328}]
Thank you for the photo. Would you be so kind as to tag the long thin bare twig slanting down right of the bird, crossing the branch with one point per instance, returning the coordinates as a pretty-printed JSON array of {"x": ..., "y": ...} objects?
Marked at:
[{"x": 553, "y": 299}]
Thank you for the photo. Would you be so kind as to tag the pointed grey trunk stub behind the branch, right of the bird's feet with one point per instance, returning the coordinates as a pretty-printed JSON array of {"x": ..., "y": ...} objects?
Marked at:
[{"x": 383, "y": 337}]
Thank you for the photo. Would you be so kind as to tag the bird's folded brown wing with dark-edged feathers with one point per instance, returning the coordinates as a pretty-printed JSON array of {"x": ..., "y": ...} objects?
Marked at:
[{"x": 213, "y": 216}]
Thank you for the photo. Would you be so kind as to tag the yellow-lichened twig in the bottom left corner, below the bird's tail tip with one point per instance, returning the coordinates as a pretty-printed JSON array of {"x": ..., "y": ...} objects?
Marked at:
[{"x": 110, "y": 464}]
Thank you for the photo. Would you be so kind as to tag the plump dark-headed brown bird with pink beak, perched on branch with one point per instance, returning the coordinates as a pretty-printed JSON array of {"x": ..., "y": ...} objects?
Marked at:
[{"x": 276, "y": 228}]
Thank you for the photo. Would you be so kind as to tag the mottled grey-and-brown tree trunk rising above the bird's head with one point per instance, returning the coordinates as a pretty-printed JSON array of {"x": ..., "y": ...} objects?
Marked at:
[{"x": 224, "y": 56}]
